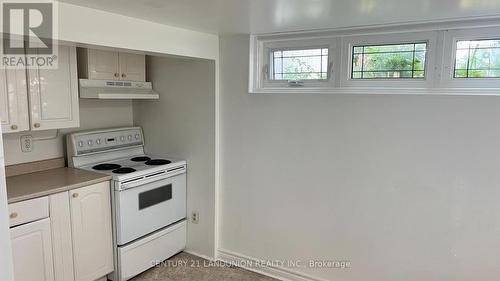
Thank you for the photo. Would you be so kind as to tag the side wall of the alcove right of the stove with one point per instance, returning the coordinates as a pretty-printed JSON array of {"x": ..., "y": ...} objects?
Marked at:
[{"x": 182, "y": 124}]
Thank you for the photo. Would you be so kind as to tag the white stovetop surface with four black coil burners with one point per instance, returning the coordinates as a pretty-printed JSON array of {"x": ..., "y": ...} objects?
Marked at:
[{"x": 133, "y": 166}]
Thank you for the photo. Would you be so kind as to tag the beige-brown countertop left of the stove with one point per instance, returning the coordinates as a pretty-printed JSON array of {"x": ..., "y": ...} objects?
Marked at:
[{"x": 39, "y": 184}]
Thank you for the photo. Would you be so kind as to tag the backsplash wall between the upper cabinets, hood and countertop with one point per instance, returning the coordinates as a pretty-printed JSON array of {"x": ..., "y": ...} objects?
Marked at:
[{"x": 94, "y": 114}]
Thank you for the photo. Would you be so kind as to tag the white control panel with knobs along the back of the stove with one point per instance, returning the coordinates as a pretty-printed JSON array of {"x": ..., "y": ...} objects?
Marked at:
[{"x": 104, "y": 140}]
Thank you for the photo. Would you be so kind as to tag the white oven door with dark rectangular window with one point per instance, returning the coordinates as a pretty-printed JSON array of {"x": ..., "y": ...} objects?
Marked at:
[{"x": 146, "y": 208}]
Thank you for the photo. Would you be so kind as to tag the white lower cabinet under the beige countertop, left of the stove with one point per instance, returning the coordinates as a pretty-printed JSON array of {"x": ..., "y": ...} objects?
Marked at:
[{"x": 72, "y": 242}]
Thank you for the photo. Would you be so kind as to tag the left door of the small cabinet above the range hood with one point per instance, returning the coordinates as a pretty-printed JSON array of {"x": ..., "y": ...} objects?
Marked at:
[{"x": 103, "y": 65}]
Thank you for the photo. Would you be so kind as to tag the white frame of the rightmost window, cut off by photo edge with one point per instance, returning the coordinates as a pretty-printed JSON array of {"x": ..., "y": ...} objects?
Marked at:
[{"x": 451, "y": 37}]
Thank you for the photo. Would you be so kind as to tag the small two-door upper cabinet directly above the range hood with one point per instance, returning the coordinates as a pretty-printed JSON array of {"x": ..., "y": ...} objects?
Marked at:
[{"x": 111, "y": 65}]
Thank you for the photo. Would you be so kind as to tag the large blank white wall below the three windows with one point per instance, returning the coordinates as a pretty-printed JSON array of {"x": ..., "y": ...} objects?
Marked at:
[{"x": 405, "y": 187}]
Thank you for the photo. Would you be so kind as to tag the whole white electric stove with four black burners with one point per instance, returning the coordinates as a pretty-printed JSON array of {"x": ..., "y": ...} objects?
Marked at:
[{"x": 149, "y": 196}]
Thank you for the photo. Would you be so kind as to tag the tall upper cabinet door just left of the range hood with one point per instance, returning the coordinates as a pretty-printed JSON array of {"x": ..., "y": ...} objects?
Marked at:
[{"x": 53, "y": 93}]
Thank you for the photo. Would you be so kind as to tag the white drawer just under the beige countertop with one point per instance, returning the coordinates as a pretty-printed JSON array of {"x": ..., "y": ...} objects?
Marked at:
[{"x": 28, "y": 211}]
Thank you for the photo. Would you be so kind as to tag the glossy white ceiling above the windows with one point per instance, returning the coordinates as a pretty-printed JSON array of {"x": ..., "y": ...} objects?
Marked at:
[{"x": 268, "y": 16}]
